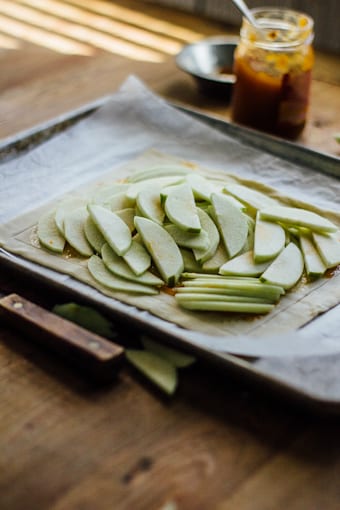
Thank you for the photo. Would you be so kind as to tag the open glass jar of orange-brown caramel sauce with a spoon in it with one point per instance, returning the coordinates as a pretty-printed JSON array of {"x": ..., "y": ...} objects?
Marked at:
[{"x": 273, "y": 66}]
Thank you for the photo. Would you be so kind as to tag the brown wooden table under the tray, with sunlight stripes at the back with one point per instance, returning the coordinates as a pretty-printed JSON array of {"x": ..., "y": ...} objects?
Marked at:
[{"x": 67, "y": 445}]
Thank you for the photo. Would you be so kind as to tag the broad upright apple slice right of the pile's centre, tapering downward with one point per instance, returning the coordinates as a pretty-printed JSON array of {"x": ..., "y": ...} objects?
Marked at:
[{"x": 232, "y": 223}]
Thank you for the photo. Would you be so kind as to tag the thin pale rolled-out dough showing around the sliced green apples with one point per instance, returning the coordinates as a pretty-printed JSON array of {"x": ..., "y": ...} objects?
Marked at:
[{"x": 294, "y": 310}]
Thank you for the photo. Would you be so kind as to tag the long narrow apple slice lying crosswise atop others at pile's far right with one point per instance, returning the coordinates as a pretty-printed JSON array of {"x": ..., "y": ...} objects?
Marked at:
[{"x": 298, "y": 218}]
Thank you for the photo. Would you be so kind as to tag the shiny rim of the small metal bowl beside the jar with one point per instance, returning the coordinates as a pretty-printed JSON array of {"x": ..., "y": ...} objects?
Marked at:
[{"x": 216, "y": 40}]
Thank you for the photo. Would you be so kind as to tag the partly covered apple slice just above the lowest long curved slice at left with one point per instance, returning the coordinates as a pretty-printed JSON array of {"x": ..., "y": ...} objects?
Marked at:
[{"x": 119, "y": 267}]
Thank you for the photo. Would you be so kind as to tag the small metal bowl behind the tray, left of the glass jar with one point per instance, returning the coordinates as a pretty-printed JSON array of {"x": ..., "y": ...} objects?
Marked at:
[{"x": 210, "y": 63}]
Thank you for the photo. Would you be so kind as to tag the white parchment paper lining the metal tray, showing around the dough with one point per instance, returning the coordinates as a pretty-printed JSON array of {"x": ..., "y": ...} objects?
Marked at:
[{"x": 135, "y": 120}]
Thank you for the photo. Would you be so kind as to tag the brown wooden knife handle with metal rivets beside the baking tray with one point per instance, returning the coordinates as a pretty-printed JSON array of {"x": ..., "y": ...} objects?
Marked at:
[{"x": 98, "y": 356}]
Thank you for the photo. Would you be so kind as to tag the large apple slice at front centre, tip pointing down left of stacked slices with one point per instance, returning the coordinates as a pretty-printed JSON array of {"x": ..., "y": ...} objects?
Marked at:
[{"x": 162, "y": 248}]
